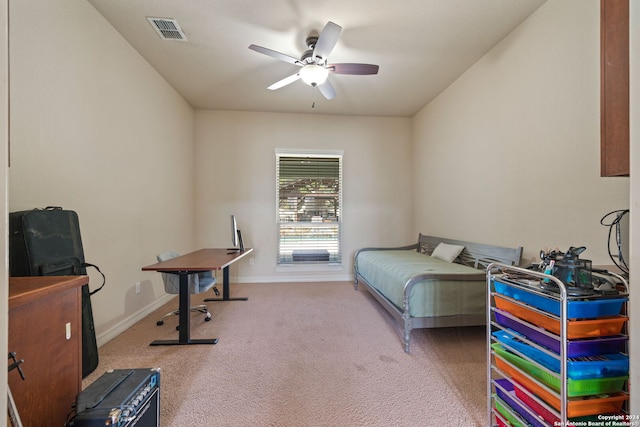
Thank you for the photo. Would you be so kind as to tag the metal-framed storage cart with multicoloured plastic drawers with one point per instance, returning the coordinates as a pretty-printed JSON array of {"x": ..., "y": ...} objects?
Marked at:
[{"x": 553, "y": 359}]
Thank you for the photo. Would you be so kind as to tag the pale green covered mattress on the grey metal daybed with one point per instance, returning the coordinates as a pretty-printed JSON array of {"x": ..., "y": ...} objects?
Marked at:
[{"x": 389, "y": 270}]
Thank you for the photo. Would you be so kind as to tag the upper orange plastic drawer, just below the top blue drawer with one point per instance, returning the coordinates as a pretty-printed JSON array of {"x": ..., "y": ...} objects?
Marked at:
[{"x": 604, "y": 326}]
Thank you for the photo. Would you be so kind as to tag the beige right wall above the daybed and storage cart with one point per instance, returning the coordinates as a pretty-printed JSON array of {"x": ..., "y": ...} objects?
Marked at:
[{"x": 510, "y": 152}]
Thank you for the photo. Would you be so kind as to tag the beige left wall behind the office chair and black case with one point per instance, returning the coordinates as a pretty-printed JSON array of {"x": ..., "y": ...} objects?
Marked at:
[{"x": 96, "y": 130}]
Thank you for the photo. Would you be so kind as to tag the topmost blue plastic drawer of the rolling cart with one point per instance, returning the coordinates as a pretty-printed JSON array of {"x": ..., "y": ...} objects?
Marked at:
[{"x": 585, "y": 309}]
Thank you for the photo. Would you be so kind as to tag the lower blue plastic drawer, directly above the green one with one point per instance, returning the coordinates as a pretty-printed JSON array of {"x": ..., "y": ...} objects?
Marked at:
[{"x": 578, "y": 368}]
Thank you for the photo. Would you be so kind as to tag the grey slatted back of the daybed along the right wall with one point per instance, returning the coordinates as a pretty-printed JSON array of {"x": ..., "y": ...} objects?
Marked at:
[{"x": 476, "y": 255}]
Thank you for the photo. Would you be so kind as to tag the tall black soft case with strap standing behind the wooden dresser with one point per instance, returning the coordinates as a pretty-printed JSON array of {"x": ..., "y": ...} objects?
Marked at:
[{"x": 47, "y": 242}]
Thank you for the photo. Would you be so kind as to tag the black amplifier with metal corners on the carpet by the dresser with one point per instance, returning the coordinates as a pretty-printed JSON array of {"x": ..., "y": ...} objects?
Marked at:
[{"x": 121, "y": 398}]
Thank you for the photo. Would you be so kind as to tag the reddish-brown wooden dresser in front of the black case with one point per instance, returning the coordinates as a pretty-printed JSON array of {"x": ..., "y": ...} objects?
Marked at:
[{"x": 45, "y": 321}]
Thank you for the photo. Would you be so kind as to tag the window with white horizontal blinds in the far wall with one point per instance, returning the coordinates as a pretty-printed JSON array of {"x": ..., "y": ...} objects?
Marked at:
[{"x": 309, "y": 205}]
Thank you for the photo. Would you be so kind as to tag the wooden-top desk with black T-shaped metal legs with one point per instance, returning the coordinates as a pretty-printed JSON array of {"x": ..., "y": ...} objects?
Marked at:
[{"x": 196, "y": 262}]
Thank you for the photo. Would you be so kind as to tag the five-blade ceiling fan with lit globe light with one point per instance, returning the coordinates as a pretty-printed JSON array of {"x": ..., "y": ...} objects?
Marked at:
[{"x": 314, "y": 69}]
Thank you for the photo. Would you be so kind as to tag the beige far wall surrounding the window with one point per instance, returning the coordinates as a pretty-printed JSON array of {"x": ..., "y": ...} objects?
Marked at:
[{"x": 235, "y": 164}]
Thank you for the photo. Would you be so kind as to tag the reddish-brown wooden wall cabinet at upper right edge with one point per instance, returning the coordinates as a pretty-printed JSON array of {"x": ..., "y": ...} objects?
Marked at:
[{"x": 614, "y": 87}]
